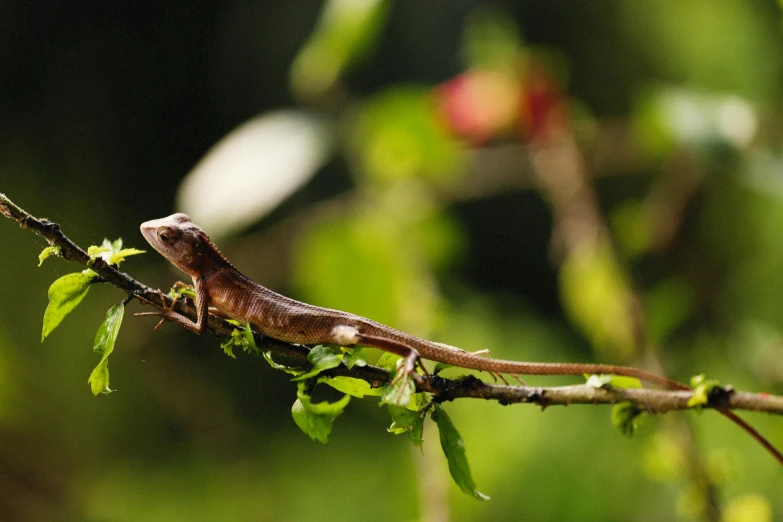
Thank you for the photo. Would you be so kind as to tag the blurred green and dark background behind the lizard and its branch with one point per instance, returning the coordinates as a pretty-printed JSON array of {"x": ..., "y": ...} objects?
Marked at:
[{"x": 410, "y": 162}]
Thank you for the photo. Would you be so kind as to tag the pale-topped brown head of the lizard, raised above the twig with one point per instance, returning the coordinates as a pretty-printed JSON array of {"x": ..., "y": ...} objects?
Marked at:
[{"x": 180, "y": 241}]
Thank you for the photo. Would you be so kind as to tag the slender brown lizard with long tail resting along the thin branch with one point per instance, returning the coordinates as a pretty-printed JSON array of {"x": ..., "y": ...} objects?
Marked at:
[{"x": 222, "y": 288}]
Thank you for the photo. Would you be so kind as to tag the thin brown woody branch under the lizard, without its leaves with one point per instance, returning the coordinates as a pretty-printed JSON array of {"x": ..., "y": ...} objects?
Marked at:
[{"x": 651, "y": 400}]
